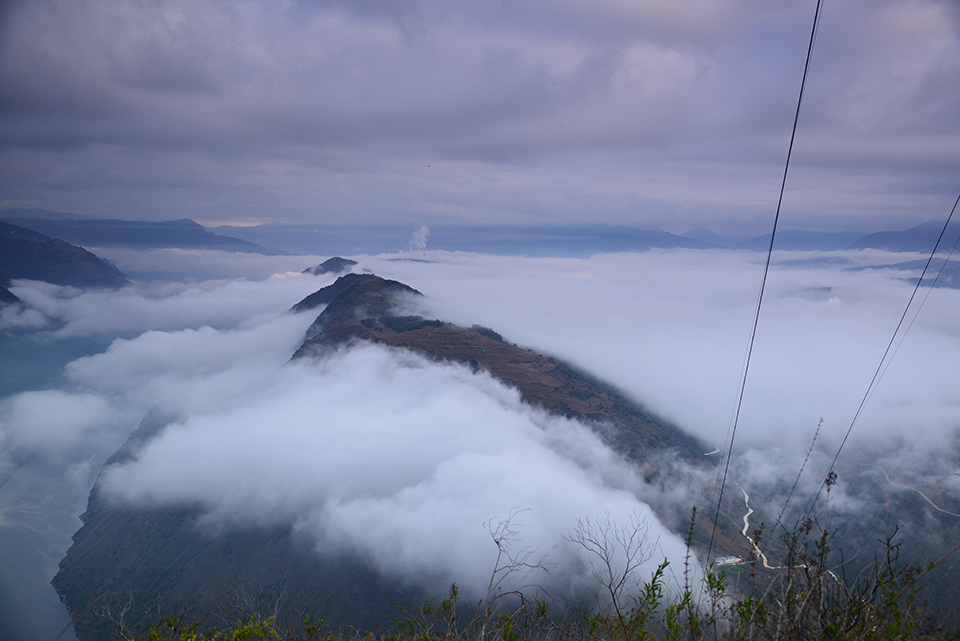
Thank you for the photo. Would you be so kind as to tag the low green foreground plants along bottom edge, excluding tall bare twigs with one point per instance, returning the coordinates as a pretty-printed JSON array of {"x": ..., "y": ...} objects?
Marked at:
[{"x": 807, "y": 610}]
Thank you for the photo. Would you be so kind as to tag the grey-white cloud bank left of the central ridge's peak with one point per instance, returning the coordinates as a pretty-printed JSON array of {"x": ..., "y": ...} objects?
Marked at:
[{"x": 174, "y": 334}]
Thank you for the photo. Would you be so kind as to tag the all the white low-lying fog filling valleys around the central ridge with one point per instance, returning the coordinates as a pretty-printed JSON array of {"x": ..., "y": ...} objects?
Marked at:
[{"x": 405, "y": 460}]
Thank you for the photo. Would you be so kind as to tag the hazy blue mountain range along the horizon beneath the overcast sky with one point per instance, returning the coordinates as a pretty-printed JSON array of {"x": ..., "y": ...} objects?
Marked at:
[{"x": 528, "y": 240}]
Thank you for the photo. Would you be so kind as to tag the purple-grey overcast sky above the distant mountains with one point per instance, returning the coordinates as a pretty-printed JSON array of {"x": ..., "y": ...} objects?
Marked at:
[{"x": 644, "y": 112}]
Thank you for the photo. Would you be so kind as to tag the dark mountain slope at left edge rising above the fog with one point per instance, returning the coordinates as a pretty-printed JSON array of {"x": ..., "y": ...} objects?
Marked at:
[{"x": 27, "y": 254}]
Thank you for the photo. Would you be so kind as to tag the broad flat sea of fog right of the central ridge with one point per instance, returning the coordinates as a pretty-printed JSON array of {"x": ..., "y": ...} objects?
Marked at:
[{"x": 670, "y": 327}]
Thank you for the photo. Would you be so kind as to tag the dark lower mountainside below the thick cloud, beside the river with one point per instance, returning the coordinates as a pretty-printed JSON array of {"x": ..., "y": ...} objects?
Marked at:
[{"x": 131, "y": 563}]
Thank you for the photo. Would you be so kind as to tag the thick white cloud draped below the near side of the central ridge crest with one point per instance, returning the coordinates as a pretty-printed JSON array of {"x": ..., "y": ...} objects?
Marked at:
[{"x": 396, "y": 458}]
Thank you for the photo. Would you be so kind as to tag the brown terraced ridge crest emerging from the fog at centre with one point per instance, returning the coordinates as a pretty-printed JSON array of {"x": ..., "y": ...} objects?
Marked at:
[{"x": 364, "y": 307}]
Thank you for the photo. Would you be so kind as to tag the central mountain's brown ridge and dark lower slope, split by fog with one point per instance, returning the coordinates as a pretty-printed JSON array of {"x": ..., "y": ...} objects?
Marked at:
[{"x": 154, "y": 558}]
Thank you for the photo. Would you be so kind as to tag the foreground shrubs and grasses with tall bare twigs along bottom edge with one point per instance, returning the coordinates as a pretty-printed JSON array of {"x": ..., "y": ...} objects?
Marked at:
[{"x": 801, "y": 599}]
